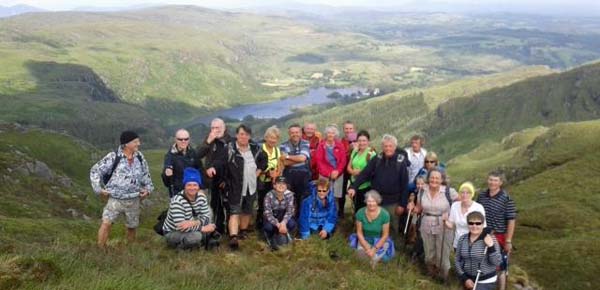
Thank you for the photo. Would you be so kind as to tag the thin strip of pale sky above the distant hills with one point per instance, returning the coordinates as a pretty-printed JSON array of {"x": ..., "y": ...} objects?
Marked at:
[{"x": 552, "y": 6}]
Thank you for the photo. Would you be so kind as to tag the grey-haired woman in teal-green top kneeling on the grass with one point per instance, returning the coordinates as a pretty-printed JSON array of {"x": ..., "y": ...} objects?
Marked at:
[{"x": 372, "y": 239}]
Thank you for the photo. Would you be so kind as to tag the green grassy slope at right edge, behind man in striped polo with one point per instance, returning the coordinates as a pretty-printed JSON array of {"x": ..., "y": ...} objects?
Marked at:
[{"x": 552, "y": 177}]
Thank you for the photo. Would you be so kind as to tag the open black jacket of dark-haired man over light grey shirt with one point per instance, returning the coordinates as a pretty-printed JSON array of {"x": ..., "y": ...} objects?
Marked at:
[{"x": 234, "y": 173}]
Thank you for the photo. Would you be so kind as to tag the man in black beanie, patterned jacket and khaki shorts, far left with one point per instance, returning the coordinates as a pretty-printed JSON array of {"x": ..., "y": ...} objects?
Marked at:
[{"x": 123, "y": 177}]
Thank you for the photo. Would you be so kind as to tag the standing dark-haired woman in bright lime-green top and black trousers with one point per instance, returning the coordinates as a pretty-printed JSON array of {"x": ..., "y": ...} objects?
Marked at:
[{"x": 359, "y": 158}]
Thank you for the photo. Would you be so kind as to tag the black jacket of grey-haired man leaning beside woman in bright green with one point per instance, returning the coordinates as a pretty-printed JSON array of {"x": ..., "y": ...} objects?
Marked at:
[{"x": 388, "y": 176}]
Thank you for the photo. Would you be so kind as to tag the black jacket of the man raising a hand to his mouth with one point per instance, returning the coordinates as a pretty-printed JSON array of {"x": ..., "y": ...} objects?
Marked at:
[{"x": 215, "y": 155}]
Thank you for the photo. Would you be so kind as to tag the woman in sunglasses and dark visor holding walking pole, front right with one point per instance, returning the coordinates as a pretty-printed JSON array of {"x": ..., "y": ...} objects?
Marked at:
[{"x": 477, "y": 252}]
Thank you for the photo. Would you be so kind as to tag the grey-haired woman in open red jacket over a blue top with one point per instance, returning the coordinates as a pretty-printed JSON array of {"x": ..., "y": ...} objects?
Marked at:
[{"x": 331, "y": 159}]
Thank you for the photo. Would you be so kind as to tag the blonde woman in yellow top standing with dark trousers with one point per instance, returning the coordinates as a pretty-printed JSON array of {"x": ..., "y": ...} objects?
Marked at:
[{"x": 270, "y": 148}]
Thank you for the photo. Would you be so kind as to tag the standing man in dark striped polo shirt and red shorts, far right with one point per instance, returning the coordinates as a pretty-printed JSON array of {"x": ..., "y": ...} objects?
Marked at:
[{"x": 500, "y": 216}]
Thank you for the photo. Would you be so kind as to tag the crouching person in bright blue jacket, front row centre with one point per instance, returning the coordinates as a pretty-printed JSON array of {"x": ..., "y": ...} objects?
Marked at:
[{"x": 318, "y": 214}]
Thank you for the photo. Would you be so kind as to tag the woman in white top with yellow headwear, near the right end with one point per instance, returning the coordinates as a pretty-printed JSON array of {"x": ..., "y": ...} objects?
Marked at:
[{"x": 457, "y": 219}]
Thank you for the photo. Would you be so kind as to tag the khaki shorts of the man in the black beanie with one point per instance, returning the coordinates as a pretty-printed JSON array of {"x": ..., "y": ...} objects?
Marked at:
[{"x": 115, "y": 207}]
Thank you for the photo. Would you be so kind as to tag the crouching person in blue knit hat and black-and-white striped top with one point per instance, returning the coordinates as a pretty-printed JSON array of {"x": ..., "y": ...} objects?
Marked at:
[{"x": 188, "y": 220}]
